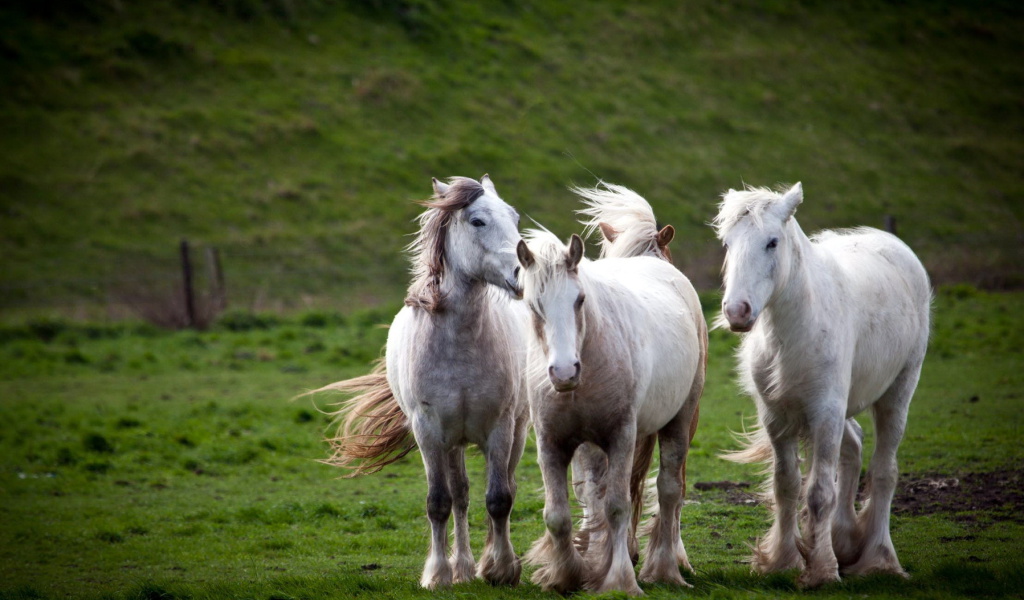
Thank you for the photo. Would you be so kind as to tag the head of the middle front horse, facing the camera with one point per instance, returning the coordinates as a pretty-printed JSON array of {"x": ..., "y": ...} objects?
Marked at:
[{"x": 554, "y": 294}]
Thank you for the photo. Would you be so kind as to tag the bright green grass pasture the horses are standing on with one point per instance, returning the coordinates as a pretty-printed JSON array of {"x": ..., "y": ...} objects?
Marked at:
[{"x": 143, "y": 464}]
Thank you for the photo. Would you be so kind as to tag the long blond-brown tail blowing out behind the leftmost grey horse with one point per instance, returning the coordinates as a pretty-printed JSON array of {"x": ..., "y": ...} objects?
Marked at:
[{"x": 372, "y": 431}]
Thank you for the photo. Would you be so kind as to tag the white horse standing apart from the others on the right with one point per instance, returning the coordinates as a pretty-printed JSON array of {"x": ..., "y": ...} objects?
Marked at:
[{"x": 835, "y": 325}]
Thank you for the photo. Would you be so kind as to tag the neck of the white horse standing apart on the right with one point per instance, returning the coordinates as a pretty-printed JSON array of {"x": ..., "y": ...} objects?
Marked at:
[{"x": 792, "y": 306}]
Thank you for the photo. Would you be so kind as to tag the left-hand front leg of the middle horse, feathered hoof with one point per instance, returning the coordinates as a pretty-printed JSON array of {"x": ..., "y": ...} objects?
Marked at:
[{"x": 561, "y": 567}]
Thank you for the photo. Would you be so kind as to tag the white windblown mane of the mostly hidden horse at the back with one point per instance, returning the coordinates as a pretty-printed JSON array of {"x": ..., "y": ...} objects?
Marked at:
[{"x": 626, "y": 212}]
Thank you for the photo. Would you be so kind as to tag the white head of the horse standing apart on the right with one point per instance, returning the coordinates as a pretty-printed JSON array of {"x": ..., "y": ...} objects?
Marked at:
[{"x": 756, "y": 228}]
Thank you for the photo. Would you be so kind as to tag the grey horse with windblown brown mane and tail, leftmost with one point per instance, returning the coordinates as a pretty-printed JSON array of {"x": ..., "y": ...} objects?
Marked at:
[{"x": 453, "y": 375}]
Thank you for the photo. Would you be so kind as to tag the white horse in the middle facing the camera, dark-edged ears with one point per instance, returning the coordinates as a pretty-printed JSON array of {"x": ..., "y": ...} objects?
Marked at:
[{"x": 617, "y": 358}]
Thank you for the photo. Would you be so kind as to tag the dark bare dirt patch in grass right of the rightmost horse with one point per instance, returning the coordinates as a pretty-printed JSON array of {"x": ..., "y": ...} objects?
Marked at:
[{"x": 1000, "y": 496}]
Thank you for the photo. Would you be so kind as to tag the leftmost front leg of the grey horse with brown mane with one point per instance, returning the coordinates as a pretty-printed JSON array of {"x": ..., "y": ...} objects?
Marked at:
[{"x": 438, "y": 572}]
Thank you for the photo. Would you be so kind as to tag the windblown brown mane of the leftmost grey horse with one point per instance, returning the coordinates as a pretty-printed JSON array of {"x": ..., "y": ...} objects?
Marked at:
[{"x": 428, "y": 250}]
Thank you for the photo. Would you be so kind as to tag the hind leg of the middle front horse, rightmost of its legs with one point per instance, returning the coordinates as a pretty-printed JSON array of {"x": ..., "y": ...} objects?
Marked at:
[{"x": 665, "y": 552}]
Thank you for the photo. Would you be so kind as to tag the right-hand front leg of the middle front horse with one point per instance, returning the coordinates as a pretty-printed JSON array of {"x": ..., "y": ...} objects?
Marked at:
[{"x": 610, "y": 564}]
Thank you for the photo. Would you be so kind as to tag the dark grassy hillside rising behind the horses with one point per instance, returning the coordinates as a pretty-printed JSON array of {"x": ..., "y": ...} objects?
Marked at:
[{"x": 294, "y": 135}]
